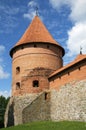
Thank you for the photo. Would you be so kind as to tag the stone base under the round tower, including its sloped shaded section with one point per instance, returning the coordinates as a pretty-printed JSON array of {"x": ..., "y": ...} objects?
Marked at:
[{"x": 27, "y": 108}]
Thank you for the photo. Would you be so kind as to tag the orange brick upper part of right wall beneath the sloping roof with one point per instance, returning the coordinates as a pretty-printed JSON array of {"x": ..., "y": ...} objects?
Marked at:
[{"x": 74, "y": 73}]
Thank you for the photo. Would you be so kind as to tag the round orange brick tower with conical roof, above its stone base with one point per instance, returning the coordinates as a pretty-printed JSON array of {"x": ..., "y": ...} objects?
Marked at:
[{"x": 35, "y": 56}]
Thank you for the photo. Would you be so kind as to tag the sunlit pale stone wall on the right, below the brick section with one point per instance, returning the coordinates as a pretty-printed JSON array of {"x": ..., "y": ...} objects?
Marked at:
[{"x": 69, "y": 103}]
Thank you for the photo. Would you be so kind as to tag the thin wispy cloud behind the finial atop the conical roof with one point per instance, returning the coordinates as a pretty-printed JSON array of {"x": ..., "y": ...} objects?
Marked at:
[{"x": 31, "y": 10}]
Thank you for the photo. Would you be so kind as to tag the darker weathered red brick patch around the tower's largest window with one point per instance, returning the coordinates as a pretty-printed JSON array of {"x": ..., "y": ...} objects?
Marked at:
[{"x": 39, "y": 74}]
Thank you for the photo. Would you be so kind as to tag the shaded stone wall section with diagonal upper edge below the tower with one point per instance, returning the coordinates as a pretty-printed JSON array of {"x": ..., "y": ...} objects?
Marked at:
[{"x": 39, "y": 109}]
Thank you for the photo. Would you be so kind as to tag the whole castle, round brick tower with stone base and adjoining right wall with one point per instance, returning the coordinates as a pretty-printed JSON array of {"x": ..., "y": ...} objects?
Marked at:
[{"x": 42, "y": 88}]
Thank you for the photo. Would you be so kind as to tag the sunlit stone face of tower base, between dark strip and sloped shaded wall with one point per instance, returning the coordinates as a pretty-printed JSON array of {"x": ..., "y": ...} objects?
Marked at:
[{"x": 20, "y": 103}]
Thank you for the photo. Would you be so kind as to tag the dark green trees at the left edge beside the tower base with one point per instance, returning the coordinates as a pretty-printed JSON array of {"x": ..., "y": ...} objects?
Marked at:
[{"x": 3, "y": 104}]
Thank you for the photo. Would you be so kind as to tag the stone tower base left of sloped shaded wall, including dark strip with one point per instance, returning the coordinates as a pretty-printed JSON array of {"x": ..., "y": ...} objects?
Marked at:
[{"x": 13, "y": 114}]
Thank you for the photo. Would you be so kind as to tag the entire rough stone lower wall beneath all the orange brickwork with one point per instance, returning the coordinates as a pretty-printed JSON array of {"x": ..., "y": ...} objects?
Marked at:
[{"x": 67, "y": 103}]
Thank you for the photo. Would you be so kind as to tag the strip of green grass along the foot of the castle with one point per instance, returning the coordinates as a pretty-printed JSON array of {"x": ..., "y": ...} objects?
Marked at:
[{"x": 48, "y": 125}]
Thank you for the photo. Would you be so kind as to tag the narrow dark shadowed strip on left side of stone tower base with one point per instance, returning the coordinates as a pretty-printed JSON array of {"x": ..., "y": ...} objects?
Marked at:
[{"x": 11, "y": 115}]
